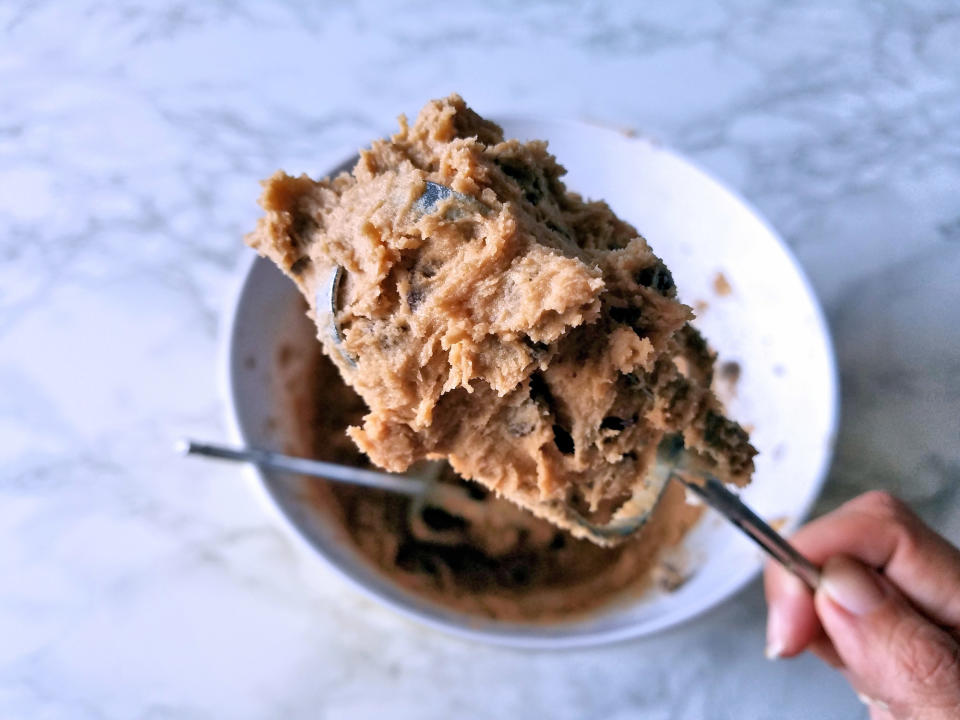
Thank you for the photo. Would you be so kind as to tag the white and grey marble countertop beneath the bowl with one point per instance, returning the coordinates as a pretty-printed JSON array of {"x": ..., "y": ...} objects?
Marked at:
[{"x": 134, "y": 584}]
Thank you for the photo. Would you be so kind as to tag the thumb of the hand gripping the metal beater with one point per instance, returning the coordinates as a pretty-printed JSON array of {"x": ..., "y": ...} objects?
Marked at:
[{"x": 893, "y": 654}]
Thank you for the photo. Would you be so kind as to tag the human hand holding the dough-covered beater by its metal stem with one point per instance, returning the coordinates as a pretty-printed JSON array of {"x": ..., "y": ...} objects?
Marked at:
[{"x": 886, "y": 613}]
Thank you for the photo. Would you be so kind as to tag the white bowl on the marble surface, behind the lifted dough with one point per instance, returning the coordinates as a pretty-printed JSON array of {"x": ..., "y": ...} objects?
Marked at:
[{"x": 770, "y": 324}]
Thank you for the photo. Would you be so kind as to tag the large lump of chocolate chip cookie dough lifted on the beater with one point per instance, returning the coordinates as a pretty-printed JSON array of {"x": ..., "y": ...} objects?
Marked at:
[{"x": 524, "y": 334}]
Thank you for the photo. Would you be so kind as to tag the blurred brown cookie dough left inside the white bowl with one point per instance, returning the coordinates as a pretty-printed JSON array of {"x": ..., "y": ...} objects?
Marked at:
[{"x": 521, "y": 569}]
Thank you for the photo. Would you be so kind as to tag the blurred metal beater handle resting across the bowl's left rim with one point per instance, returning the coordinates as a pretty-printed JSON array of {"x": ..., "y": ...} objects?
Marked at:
[{"x": 304, "y": 466}]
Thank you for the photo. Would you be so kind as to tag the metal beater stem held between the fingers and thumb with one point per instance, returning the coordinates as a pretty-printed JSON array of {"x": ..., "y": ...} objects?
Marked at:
[{"x": 714, "y": 494}]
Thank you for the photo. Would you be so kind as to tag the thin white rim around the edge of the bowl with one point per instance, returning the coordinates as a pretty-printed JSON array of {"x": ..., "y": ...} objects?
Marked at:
[{"x": 508, "y": 635}]
